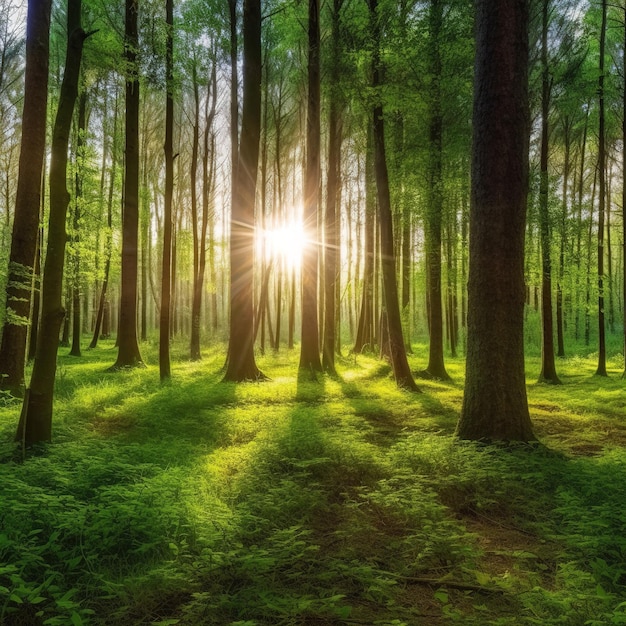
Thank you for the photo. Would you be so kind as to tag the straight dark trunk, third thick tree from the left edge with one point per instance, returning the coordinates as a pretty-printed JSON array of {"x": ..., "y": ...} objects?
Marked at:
[{"x": 128, "y": 347}]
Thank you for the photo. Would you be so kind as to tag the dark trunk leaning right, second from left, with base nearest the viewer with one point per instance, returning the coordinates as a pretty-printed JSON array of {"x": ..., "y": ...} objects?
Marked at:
[{"x": 36, "y": 418}]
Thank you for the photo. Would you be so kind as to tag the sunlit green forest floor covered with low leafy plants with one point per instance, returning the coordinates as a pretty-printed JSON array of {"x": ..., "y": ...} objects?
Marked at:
[{"x": 287, "y": 502}]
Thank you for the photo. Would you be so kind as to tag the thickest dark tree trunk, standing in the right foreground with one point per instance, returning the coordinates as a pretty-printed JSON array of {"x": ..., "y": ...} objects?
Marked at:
[{"x": 494, "y": 402}]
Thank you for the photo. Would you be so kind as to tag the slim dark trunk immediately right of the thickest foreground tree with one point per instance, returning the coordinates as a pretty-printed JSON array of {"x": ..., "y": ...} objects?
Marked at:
[{"x": 548, "y": 367}]
